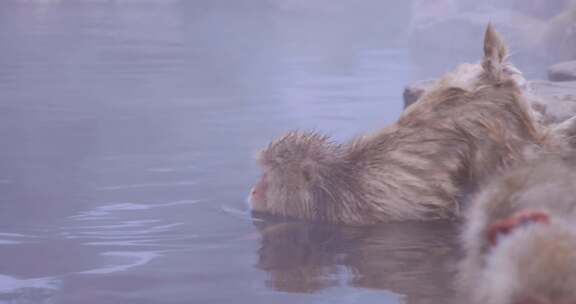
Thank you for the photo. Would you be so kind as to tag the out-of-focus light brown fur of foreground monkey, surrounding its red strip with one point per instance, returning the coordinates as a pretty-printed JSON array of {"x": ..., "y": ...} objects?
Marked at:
[{"x": 536, "y": 261}]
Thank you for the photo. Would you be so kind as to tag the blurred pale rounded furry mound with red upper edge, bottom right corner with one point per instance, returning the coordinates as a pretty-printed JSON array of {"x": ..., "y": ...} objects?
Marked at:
[{"x": 532, "y": 261}]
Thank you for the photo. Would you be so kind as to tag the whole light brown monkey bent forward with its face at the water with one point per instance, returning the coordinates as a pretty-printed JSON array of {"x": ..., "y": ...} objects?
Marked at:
[{"x": 473, "y": 122}]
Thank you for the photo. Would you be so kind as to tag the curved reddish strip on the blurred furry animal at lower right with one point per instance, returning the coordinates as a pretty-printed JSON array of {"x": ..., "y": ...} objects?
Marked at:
[{"x": 506, "y": 226}]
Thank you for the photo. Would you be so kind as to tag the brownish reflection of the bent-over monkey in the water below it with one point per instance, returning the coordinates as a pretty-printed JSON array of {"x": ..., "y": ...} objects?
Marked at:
[{"x": 402, "y": 257}]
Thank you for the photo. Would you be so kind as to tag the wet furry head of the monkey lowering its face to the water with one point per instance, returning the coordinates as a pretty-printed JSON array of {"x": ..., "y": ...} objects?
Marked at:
[{"x": 301, "y": 176}]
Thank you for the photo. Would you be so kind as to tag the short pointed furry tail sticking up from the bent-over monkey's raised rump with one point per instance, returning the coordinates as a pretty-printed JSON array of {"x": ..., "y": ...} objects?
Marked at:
[{"x": 495, "y": 53}]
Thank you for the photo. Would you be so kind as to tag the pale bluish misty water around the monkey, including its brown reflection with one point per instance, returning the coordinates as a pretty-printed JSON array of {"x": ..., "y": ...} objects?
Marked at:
[{"x": 128, "y": 130}]
